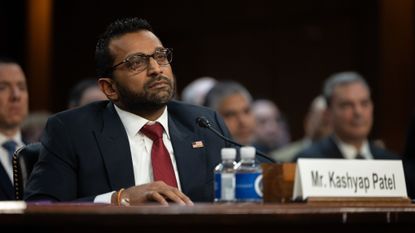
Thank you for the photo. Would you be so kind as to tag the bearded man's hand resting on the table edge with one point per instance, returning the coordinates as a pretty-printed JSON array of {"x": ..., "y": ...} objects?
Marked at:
[{"x": 156, "y": 191}]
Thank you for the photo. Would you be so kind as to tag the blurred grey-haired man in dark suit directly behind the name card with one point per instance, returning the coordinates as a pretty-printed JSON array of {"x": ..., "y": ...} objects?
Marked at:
[{"x": 350, "y": 110}]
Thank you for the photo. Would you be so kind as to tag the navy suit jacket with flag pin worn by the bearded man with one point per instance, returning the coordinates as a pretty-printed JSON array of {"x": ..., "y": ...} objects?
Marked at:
[{"x": 85, "y": 152}]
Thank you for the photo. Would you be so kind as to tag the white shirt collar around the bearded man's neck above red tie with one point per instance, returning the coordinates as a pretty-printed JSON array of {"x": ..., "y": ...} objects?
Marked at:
[{"x": 133, "y": 123}]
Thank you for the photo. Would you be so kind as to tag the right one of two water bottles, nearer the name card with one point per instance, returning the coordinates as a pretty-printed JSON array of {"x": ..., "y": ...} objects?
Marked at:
[{"x": 248, "y": 176}]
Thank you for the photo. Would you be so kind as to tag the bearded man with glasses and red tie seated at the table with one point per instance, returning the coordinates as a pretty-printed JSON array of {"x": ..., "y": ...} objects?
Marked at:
[{"x": 140, "y": 145}]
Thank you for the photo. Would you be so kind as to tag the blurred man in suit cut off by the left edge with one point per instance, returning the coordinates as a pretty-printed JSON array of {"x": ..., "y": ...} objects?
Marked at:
[{"x": 14, "y": 107}]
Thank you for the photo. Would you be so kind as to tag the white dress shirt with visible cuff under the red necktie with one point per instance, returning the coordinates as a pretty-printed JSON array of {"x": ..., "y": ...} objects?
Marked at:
[{"x": 140, "y": 146}]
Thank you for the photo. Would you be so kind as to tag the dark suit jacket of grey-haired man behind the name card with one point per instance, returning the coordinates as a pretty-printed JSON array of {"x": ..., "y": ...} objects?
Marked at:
[{"x": 327, "y": 148}]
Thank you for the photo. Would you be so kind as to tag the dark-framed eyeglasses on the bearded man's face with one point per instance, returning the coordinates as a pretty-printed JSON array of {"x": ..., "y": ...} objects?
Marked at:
[{"x": 139, "y": 62}]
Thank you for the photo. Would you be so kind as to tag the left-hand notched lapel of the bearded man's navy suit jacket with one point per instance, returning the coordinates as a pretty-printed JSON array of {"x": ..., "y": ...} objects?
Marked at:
[{"x": 115, "y": 150}]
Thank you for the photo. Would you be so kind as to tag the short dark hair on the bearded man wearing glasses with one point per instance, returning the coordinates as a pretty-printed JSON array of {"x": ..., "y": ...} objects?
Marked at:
[{"x": 120, "y": 27}]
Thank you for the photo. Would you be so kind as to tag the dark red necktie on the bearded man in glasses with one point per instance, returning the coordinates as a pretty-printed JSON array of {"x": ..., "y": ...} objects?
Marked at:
[{"x": 160, "y": 157}]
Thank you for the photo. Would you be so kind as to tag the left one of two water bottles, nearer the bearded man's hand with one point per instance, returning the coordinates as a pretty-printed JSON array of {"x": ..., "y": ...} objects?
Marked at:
[{"x": 225, "y": 176}]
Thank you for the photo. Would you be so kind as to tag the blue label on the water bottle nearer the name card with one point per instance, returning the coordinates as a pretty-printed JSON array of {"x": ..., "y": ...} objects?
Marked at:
[{"x": 248, "y": 186}]
